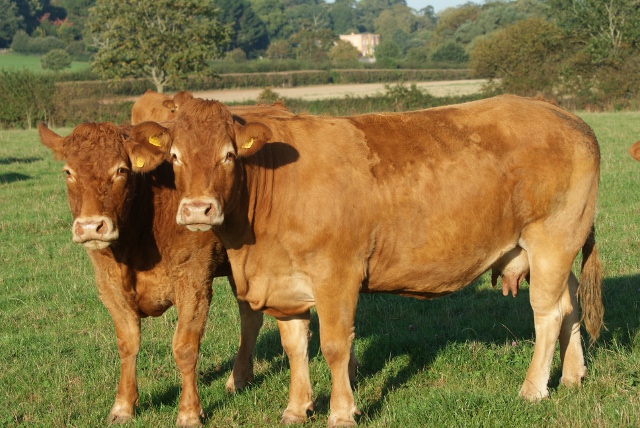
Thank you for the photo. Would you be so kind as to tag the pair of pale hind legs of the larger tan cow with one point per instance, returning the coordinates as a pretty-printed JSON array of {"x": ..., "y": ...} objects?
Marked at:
[{"x": 554, "y": 308}]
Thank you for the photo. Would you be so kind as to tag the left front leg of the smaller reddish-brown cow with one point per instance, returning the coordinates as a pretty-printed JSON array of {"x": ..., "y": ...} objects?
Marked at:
[{"x": 127, "y": 325}]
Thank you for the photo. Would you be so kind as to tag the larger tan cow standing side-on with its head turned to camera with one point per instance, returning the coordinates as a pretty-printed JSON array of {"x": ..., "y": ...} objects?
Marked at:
[{"x": 418, "y": 204}]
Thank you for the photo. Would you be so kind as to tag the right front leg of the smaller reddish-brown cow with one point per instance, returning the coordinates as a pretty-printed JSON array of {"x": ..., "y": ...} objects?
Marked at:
[{"x": 193, "y": 308}]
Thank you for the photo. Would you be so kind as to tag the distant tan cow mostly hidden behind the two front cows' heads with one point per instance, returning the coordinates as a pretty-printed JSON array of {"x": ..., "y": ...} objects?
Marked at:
[{"x": 158, "y": 107}]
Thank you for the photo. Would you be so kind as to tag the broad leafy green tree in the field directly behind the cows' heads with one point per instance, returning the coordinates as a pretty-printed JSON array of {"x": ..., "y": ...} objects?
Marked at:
[{"x": 163, "y": 40}]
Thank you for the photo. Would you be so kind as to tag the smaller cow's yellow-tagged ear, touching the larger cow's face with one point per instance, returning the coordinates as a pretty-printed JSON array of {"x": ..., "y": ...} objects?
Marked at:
[{"x": 148, "y": 146}]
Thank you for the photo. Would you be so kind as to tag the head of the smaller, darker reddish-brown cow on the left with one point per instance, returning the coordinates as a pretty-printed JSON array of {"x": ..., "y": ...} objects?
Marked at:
[{"x": 101, "y": 160}]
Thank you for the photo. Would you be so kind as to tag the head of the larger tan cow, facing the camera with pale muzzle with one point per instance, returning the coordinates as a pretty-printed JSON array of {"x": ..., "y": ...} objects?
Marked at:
[{"x": 207, "y": 150}]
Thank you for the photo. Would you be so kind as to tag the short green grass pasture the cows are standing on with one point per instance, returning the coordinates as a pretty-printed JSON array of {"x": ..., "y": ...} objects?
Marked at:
[{"x": 461, "y": 365}]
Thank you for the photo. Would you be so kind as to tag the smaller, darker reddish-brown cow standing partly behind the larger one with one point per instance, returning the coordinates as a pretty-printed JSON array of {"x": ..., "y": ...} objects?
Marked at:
[{"x": 124, "y": 215}]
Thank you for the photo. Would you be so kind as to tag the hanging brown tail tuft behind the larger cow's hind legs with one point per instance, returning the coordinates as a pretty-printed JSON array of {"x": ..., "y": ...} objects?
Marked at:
[{"x": 590, "y": 289}]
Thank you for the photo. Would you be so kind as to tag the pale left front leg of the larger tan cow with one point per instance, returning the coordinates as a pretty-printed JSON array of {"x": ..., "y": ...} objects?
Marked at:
[{"x": 294, "y": 335}]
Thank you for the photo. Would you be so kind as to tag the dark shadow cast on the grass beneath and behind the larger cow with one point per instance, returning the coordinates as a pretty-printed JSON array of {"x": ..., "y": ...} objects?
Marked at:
[{"x": 388, "y": 327}]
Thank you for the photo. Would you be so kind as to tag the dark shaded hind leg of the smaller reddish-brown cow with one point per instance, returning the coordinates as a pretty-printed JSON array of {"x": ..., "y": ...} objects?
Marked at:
[{"x": 250, "y": 324}]
